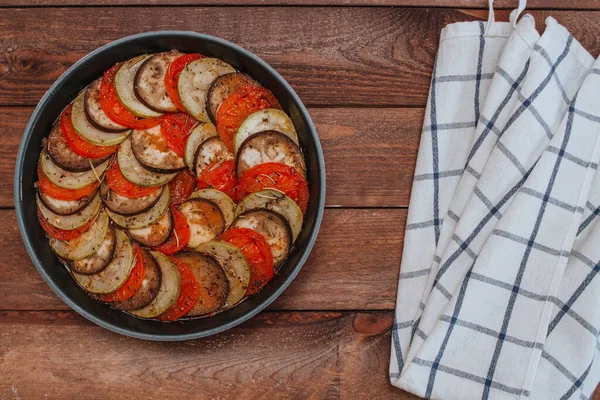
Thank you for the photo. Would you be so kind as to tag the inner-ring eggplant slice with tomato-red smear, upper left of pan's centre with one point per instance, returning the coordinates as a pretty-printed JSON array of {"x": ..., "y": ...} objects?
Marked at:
[{"x": 151, "y": 150}]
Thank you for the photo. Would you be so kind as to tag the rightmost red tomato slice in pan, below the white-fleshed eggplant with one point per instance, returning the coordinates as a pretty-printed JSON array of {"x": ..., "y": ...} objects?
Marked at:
[{"x": 275, "y": 176}]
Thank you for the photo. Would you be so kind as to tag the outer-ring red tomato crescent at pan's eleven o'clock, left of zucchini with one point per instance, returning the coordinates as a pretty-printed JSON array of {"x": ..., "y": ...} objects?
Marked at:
[{"x": 114, "y": 109}]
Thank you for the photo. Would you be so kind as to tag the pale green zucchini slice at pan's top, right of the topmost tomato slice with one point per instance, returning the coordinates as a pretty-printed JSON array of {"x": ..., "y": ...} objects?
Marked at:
[{"x": 194, "y": 82}]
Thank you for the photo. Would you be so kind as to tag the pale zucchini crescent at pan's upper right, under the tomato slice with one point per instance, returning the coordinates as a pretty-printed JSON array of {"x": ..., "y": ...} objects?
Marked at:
[{"x": 270, "y": 119}]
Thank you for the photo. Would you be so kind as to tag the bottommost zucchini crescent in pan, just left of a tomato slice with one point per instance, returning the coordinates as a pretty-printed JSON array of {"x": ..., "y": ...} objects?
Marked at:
[{"x": 168, "y": 293}]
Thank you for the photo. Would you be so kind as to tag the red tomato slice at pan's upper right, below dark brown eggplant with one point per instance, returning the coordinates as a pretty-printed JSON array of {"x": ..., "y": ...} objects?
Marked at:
[{"x": 238, "y": 106}]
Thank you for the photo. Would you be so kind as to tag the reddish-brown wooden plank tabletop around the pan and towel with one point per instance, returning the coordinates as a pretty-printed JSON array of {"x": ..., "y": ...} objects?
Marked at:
[{"x": 363, "y": 70}]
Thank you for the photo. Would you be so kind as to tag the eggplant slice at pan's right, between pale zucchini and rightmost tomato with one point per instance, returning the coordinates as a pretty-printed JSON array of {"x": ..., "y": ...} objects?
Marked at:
[{"x": 269, "y": 146}]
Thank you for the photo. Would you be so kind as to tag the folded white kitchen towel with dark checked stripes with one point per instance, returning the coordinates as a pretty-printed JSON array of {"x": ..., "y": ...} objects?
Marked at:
[{"x": 498, "y": 293}]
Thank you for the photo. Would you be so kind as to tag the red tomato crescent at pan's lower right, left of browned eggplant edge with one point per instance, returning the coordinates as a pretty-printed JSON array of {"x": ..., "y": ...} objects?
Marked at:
[{"x": 257, "y": 252}]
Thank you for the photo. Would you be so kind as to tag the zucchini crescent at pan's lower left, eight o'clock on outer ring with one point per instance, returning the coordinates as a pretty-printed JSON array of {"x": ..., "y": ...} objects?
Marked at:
[{"x": 84, "y": 245}]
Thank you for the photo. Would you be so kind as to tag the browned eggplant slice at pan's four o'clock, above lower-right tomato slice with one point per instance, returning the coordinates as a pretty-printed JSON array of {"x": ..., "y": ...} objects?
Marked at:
[{"x": 272, "y": 226}]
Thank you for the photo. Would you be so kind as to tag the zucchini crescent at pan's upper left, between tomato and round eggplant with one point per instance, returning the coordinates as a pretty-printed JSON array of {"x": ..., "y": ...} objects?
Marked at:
[{"x": 124, "y": 86}]
